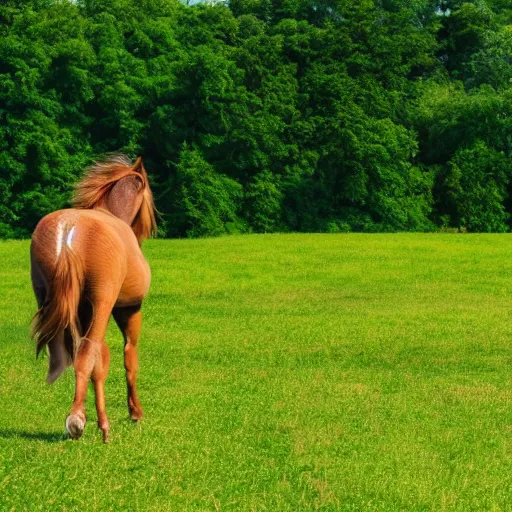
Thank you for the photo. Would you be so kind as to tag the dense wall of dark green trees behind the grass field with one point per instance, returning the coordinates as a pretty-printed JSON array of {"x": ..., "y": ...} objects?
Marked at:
[{"x": 268, "y": 115}]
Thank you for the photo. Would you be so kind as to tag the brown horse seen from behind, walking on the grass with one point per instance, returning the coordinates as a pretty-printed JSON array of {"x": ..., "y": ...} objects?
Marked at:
[{"x": 86, "y": 264}]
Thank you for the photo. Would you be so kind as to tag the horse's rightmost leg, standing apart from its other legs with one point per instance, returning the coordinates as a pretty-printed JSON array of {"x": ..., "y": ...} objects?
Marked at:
[{"x": 129, "y": 321}]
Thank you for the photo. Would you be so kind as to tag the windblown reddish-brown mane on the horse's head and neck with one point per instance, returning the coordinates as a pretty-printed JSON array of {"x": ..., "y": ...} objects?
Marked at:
[{"x": 99, "y": 179}]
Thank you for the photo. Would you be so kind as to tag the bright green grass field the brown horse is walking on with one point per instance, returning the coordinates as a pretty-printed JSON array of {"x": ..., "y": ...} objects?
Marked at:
[{"x": 281, "y": 373}]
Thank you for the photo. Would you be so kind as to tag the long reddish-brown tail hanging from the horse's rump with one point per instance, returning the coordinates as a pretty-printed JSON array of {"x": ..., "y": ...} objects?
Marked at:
[{"x": 58, "y": 315}]
